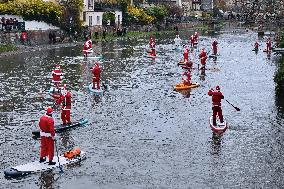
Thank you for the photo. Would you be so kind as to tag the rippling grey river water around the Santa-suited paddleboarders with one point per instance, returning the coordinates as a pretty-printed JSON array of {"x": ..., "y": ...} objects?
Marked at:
[{"x": 141, "y": 133}]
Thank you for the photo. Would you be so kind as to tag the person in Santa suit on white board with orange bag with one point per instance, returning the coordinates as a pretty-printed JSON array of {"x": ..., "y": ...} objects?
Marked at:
[{"x": 47, "y": 133}]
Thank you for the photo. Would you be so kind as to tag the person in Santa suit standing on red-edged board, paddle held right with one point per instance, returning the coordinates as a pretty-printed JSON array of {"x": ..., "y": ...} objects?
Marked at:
[{"x": 217, "y": 96}]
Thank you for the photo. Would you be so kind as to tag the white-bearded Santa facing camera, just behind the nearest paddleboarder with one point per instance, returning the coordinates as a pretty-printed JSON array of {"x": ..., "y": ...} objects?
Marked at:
[{"x": 65, "y": 100}]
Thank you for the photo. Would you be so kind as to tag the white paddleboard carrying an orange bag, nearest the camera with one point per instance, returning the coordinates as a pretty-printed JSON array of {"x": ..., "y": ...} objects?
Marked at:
[{"x": 35, "y": 166}]
